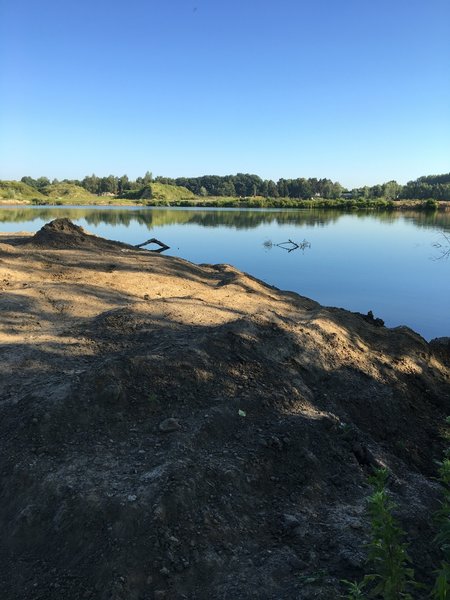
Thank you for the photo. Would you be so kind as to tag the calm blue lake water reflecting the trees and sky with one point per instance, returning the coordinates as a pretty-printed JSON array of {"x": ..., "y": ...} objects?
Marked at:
[{"x": 385, "y": 262}]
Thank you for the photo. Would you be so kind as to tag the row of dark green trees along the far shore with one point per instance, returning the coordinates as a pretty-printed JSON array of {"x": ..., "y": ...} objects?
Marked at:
[{"x": 245, "y": 185}]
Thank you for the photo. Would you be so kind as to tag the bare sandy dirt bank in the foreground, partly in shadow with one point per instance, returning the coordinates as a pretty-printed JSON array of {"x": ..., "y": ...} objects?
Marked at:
[{"x": 179, "y": 431}]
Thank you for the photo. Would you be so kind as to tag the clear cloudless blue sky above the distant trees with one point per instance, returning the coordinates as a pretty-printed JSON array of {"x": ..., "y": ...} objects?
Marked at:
[{"x": 357, "y": 91}]
